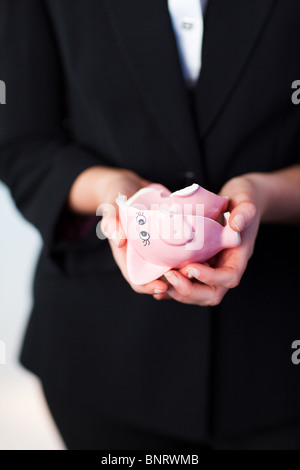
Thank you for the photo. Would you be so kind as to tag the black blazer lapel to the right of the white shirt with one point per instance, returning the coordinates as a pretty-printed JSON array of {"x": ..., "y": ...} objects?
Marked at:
[{"x": 232, "y": 30}]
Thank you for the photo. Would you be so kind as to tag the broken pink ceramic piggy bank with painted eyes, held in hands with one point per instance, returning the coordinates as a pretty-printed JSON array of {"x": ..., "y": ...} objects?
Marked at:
[{"x": 167, "y": 230}]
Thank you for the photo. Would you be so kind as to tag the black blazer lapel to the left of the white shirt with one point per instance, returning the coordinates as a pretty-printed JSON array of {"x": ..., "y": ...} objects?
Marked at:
[{"x": 144, "y": 33}]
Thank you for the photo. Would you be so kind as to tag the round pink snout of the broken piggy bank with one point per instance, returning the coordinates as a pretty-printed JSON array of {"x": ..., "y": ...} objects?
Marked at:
[{"x": 174, "y": 229}]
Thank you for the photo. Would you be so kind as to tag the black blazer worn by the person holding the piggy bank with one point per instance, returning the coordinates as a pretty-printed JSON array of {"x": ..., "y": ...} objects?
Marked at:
[{"x": 92, "y": 82}]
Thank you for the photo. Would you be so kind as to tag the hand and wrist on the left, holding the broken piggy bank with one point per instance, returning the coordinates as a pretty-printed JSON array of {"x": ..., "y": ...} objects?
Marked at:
[{"x": 97, "y": 189}]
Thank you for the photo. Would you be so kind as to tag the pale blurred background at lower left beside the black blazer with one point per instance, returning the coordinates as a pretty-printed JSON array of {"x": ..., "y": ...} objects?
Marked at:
[{"x": 25, "y": 422}]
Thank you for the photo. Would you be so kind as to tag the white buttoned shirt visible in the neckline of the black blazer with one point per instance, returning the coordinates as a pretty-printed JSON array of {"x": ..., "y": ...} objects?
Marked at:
[{"x": 187, "y": 20}]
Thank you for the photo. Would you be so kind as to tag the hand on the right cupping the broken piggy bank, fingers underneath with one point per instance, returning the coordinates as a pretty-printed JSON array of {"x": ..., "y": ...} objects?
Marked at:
[{"x": 207, "y": 284}]
